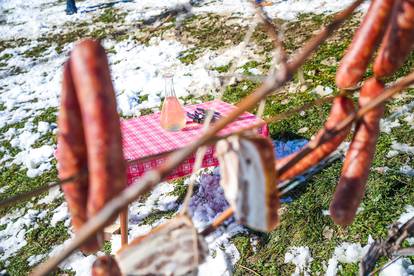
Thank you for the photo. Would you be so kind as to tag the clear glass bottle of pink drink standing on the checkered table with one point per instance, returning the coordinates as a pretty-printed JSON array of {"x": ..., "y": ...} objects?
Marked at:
[{"x": 173, "y": 116}]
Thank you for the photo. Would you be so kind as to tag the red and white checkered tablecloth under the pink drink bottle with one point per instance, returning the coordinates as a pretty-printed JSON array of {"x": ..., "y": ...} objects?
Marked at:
[{"x": 143, "y": 137}]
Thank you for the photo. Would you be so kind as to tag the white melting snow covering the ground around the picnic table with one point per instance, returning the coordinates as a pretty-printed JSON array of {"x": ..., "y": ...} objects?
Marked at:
[{"x": 35, "y": 39}]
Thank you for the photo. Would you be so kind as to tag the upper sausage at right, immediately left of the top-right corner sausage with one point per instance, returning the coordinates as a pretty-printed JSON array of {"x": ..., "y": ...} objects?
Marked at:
[{"x": 364, "y": 43}]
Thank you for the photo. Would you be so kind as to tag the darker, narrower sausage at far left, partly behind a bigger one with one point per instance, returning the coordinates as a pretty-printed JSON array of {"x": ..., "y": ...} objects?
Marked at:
[{"x": 71, "y": 156}]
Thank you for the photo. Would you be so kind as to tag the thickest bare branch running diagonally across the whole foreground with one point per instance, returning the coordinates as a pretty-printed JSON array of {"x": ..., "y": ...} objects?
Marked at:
[{"x": 152, "y": 178}]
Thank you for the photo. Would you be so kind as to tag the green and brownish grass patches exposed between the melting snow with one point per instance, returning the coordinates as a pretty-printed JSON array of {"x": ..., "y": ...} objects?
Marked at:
[{"x": 302, "y": 222}]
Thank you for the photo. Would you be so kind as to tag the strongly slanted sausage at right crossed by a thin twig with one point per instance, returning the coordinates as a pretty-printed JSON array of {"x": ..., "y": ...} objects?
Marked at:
[{"x": 341, "y": 108}]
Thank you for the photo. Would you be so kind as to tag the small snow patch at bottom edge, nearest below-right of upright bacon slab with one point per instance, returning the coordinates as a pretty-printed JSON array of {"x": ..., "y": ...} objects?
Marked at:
[{"x": 301, "y": 258}]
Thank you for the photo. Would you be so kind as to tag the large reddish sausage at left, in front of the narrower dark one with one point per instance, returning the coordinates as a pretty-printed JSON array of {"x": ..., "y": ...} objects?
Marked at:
[{"x": 106, "y": 165}]
